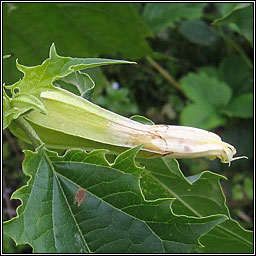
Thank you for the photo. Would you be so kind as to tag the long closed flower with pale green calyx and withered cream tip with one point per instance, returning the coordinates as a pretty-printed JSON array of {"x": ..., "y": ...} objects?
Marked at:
[{"x": 73, "y": 115}]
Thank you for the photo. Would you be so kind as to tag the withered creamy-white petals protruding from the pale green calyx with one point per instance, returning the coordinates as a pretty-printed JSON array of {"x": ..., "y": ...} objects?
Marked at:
[{"x": 190, "y": 142}]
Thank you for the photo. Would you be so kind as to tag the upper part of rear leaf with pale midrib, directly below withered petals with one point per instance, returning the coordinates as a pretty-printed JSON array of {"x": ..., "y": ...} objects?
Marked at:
[{"x": 192, "y": 194}]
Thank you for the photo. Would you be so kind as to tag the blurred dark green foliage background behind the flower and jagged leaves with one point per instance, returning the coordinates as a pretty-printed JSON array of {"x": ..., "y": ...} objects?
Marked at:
[{"x": 194, "y": 67}]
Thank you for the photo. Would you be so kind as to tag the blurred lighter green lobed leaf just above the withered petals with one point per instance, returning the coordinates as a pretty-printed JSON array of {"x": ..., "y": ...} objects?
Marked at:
[{"x": 210, "y": 97}]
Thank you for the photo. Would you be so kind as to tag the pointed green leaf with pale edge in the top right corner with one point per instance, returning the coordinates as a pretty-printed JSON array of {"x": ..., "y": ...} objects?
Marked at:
[{"x": 240, "y": 19}]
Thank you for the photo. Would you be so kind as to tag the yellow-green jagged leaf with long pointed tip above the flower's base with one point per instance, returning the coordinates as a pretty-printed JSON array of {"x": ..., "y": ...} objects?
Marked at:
[{"x": 26, "y": 92}]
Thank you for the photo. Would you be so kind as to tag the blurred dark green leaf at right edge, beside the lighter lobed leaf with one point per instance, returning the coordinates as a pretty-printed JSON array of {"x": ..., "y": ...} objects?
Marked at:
[{"x": 241, "y": 106}]
